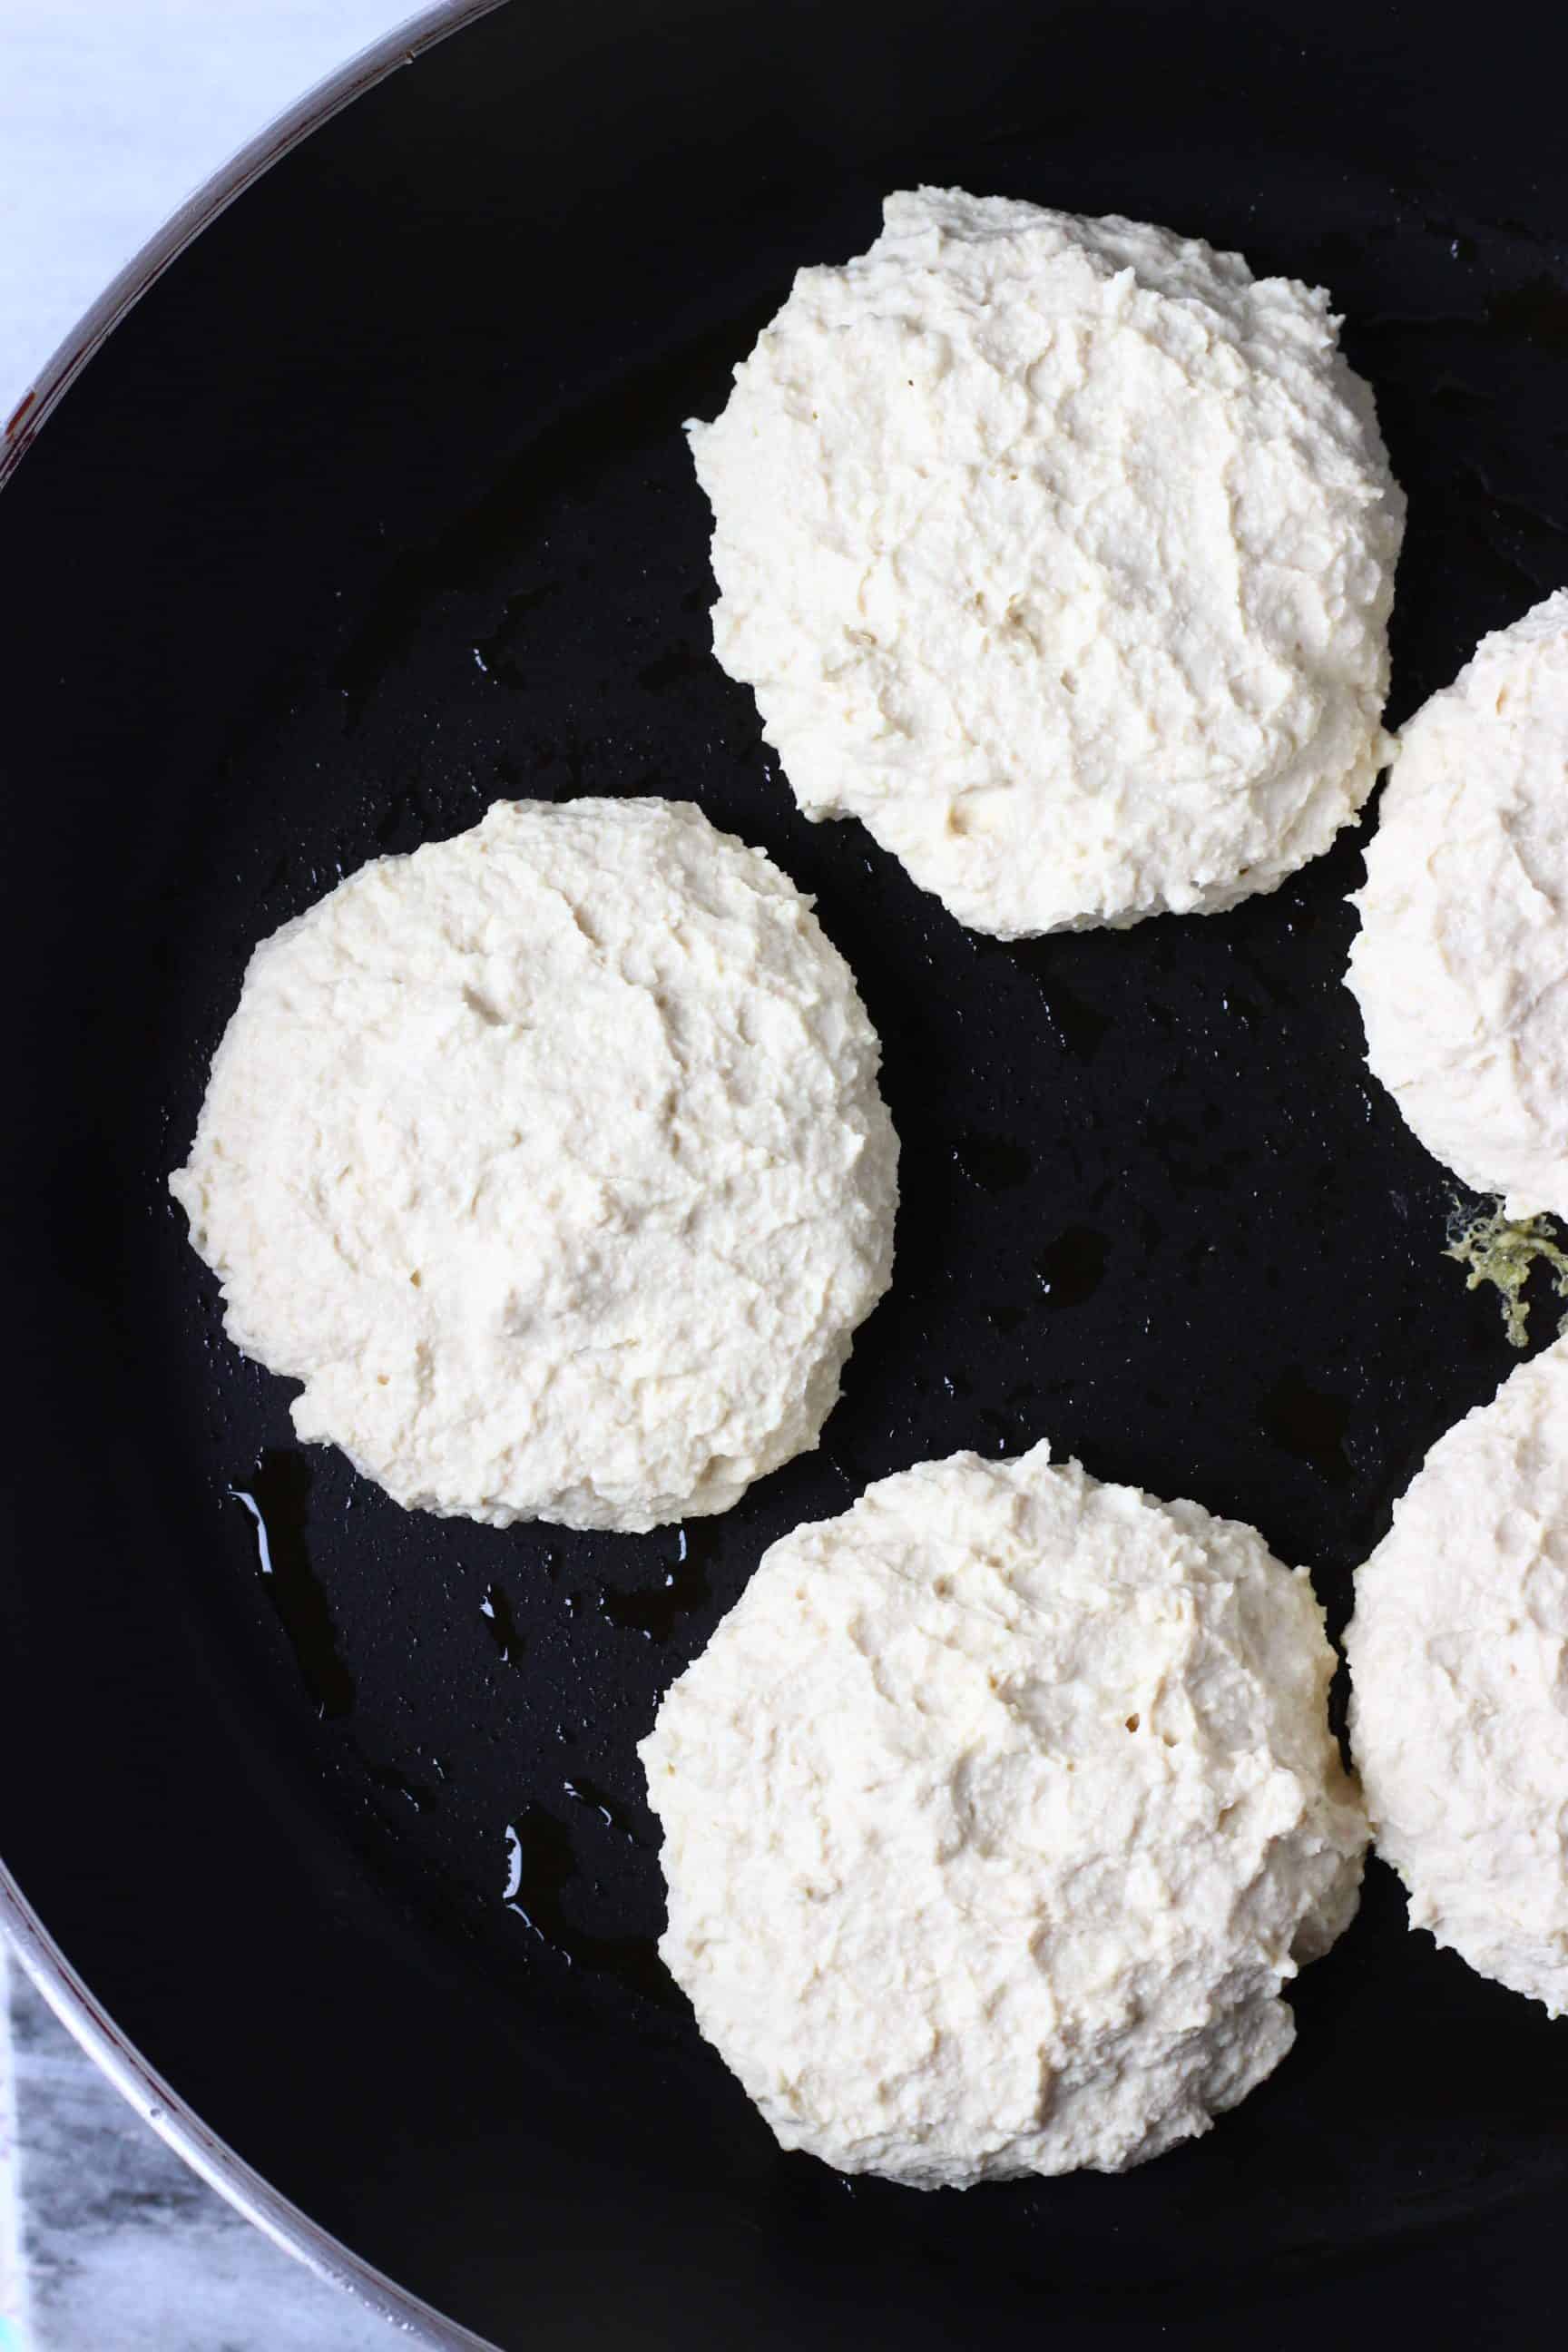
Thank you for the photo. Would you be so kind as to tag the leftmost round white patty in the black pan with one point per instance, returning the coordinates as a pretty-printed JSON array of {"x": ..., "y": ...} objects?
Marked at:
[{"x": 554, "y": 1163}]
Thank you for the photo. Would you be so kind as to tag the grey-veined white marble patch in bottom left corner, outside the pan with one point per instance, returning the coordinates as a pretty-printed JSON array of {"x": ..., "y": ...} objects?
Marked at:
[{"x": 112, "y": 2245}]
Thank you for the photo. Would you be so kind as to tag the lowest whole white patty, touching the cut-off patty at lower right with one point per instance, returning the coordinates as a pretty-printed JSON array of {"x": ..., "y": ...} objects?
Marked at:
[{"x": 996, "y": 1817}]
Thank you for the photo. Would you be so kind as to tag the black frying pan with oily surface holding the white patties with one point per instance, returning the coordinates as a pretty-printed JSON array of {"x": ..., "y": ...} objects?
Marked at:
[{"x": 377, "y": 509}]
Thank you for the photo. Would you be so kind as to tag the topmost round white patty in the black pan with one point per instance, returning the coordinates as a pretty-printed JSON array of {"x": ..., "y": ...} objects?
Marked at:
[{"x": 1061, "y": 554}]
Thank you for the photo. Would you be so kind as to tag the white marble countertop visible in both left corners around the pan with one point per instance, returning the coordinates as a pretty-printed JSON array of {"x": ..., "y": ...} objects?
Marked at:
[{"x": 112, "y": 116}]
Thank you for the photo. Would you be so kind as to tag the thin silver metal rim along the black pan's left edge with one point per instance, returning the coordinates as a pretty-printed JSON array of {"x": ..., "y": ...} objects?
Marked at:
[{"x": 20, "y": 1925}]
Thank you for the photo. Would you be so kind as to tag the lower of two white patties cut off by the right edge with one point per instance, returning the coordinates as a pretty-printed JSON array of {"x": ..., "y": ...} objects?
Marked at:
[{"x": 1459, "y": 1704}]
